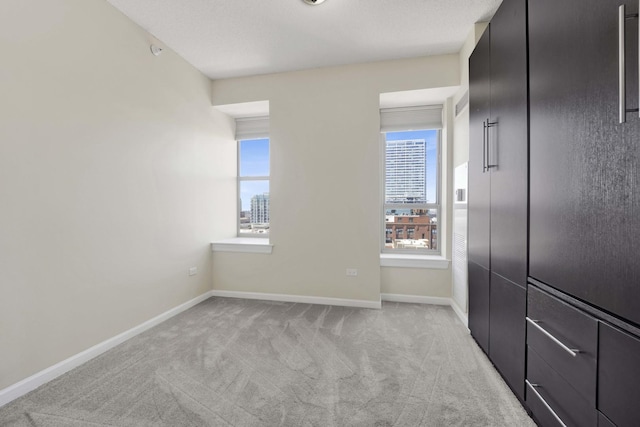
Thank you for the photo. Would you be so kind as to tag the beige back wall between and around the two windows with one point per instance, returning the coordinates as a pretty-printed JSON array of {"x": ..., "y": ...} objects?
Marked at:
[{"x": 325, "y": 173}]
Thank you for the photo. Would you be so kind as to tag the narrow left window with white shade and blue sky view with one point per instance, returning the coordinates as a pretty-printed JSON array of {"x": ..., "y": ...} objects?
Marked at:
[{"x": 253, "y": 177}]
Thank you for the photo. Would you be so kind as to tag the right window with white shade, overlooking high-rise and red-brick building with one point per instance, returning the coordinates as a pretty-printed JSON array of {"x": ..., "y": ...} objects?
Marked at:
[{"x": 411, "y": 179}]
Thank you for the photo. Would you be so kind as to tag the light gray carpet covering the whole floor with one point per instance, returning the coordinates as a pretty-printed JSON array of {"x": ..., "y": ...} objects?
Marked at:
[{"x": 229, "y": 362}]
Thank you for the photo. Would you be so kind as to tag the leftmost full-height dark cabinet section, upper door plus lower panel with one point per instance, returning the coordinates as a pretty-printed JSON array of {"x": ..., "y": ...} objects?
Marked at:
[{"x": 479, "y": 192}]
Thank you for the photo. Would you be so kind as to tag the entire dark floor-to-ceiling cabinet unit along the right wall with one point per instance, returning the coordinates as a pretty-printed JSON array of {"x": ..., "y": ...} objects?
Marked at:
[{"x": 554, "y": 207}]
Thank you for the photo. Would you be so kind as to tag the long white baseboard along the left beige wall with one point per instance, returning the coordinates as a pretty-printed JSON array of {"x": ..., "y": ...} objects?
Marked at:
[{"x": 31, "y": 383}]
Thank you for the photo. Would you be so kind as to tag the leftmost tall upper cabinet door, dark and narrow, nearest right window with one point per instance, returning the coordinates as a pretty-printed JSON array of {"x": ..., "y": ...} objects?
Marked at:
[{"x": 479, "y": 179}]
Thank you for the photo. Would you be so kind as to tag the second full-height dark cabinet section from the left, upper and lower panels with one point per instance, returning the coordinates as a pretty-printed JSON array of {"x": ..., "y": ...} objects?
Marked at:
[{"x": 507, "y": 143}]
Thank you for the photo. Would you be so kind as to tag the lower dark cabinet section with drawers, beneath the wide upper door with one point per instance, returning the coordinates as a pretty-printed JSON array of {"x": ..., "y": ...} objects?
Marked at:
[{"x": 582, "y": 363}]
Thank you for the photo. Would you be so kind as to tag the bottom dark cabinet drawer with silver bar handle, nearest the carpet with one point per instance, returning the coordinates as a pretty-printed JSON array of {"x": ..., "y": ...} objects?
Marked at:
[{"x": 561, "y": 398}]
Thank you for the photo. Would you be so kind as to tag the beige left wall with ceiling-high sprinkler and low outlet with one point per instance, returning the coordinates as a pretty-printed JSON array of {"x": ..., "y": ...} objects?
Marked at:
[{"x": 111, "y": 176}]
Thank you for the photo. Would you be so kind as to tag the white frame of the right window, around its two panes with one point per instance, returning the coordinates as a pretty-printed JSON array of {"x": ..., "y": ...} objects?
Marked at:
[{"x": 424, "y": 206}]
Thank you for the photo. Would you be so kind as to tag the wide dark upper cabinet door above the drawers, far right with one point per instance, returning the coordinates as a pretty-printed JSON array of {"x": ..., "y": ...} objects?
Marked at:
[{"x": 585, "y": 165}]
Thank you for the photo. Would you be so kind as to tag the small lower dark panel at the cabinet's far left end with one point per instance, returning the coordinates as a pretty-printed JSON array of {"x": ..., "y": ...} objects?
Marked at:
[{"x": 479, "y": 305}]
